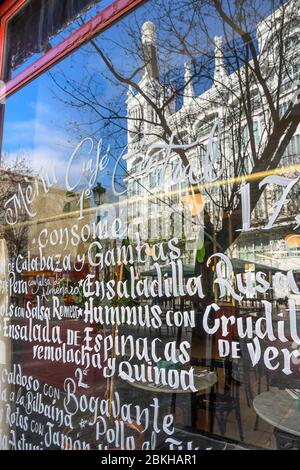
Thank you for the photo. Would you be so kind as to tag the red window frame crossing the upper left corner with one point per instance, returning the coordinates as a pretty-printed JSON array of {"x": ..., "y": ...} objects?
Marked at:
[{"x": 109, "y": 15}]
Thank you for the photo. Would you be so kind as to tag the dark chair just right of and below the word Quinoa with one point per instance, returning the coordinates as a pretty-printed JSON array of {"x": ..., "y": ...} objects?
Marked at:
[{"x": 220, "y": 404}]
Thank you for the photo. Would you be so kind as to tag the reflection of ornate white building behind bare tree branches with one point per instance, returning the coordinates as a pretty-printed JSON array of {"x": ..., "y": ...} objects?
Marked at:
[{"x": 149, "y": 175}]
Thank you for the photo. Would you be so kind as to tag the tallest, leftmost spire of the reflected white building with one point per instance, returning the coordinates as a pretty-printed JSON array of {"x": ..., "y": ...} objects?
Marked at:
[{"x": 149, "y": 43}]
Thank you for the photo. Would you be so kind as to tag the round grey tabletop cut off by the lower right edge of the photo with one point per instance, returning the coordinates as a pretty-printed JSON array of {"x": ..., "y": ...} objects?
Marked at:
[{"x": 279, "y": 409}]
